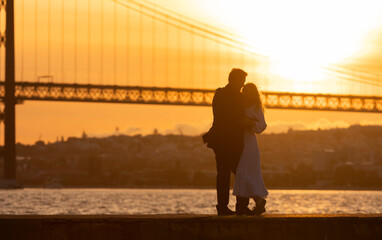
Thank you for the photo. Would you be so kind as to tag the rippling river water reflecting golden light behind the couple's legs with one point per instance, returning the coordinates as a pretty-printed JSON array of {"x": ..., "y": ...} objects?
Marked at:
[{"x": 179, "y": 201}]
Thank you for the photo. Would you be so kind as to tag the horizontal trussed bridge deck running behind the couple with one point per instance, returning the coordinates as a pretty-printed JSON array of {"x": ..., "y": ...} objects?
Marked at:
[{"x": 181, "y": 96}]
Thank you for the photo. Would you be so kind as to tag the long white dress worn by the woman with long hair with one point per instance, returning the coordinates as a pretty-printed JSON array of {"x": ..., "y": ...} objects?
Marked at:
[{"x": 249, "y": 180}]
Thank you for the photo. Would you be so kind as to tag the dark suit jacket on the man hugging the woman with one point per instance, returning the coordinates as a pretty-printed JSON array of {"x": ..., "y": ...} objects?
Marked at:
[{"x": 227, "y": 134}]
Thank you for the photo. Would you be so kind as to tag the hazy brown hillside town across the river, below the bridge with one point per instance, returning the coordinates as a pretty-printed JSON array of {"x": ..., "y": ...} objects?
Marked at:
[{"x": 324, "y": 159}]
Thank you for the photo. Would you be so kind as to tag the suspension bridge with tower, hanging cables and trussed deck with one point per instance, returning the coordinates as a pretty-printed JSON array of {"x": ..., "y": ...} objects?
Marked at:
[{"x": 131, "y": 51}]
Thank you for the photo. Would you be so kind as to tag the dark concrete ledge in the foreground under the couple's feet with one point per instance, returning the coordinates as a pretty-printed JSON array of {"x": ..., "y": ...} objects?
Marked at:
[{"x": 186, "y": 227}]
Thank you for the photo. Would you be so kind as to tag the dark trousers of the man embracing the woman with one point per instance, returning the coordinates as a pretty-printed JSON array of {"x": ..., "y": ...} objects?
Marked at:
[{"x": 224, "y": 166}]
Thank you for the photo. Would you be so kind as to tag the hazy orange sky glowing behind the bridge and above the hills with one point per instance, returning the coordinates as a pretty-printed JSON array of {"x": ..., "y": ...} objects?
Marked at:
[{"x": 301, "y": 35}]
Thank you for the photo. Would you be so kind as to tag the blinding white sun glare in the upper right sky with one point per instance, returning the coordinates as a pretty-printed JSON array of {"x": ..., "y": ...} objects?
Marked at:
[{"x": 301, "y": 35}]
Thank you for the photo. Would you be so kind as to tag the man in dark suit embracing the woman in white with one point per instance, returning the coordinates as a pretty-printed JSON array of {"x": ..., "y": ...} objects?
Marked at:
[{"x": 226, "y": 138}]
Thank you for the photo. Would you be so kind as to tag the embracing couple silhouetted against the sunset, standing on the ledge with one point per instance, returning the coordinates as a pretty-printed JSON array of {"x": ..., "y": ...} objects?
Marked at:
[{"x": 238, "y": 116}]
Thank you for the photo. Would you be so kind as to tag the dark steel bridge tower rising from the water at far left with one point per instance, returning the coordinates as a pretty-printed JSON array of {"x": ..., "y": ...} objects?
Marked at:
[{"x": 9, "y": 153}]
